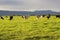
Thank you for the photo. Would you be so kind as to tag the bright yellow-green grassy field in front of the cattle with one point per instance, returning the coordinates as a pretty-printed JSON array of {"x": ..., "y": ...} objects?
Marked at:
[{"x": 30, "y": 29}]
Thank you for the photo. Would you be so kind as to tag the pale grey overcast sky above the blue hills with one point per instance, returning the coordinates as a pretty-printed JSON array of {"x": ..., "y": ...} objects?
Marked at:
[{"x": 30, "y": 5}]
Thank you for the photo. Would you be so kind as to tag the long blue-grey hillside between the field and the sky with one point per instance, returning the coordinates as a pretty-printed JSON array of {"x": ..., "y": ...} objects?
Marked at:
[{"x": 28, "y": 13}]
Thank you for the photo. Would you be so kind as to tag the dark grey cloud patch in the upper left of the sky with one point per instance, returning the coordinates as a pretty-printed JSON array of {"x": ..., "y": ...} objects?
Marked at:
[{"x": 11, "y": 2}]
